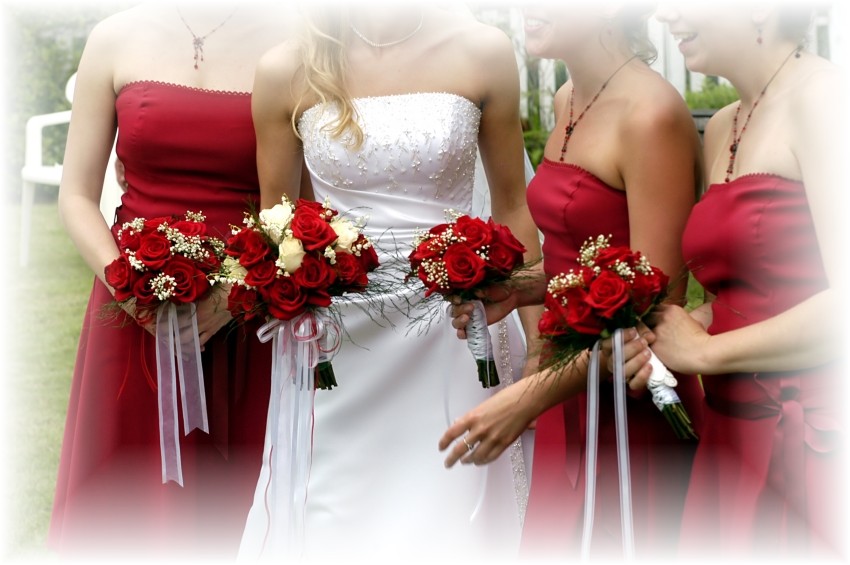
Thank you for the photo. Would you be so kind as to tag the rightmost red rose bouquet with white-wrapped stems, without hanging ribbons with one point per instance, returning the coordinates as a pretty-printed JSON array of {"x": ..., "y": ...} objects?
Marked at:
[{"x": 613, "y": 287}]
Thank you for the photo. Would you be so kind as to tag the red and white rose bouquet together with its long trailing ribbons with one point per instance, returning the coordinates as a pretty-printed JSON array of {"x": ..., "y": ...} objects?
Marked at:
[{"x": 286, "y": 265}]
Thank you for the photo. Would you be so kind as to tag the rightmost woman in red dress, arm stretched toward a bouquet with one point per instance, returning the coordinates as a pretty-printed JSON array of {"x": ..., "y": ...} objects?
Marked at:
[{"x": 765, "y": 242}]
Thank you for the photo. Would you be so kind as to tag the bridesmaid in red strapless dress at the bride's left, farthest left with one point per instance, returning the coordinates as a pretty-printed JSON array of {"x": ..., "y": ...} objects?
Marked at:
[{"x": 174, "y": 78}]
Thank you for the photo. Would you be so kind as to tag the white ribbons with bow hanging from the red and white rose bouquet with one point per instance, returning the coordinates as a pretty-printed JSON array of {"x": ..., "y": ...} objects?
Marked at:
[{"x": 298, "y": 346}]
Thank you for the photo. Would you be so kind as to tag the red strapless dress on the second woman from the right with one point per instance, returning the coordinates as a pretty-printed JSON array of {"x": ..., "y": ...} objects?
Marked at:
[{"x": 570, "y": 205}]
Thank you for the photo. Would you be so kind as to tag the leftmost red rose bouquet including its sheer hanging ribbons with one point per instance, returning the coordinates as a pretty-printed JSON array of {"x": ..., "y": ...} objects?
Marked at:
[{"x": 165, "y": 266}]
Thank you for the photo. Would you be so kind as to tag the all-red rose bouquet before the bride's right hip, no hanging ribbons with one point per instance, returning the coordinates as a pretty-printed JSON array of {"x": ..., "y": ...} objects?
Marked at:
[{"x": 456, "y": 258}]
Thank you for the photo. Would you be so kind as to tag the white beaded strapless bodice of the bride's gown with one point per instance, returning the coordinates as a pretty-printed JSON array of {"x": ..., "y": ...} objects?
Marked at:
[{"x": 417, "y": 159}]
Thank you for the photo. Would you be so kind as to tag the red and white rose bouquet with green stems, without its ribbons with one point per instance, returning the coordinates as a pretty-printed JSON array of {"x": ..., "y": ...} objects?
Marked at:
[{"x": 288, "y": 261}]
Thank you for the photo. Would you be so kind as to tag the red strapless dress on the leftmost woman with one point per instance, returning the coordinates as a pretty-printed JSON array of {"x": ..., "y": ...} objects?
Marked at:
[{"x": 183, "y": 149}]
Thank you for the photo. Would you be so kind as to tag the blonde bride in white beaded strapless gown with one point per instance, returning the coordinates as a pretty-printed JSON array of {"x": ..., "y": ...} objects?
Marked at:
[{"x": 388, "y": 109}]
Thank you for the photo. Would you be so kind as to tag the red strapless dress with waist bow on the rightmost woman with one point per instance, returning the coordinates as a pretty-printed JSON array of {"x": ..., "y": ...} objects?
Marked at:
[{"x": 765, "y": 480}]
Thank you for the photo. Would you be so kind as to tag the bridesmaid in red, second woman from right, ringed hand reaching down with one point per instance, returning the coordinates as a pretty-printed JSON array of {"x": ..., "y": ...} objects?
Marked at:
[{"x": 623, "y": 159}]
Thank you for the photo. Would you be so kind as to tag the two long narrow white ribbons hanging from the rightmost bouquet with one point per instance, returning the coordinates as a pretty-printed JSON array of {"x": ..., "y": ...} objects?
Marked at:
[{"x": 622, "y": 435}]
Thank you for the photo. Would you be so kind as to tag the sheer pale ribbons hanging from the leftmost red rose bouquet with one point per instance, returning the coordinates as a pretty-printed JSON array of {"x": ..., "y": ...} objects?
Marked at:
[{"x": 178, "y": 351}]
